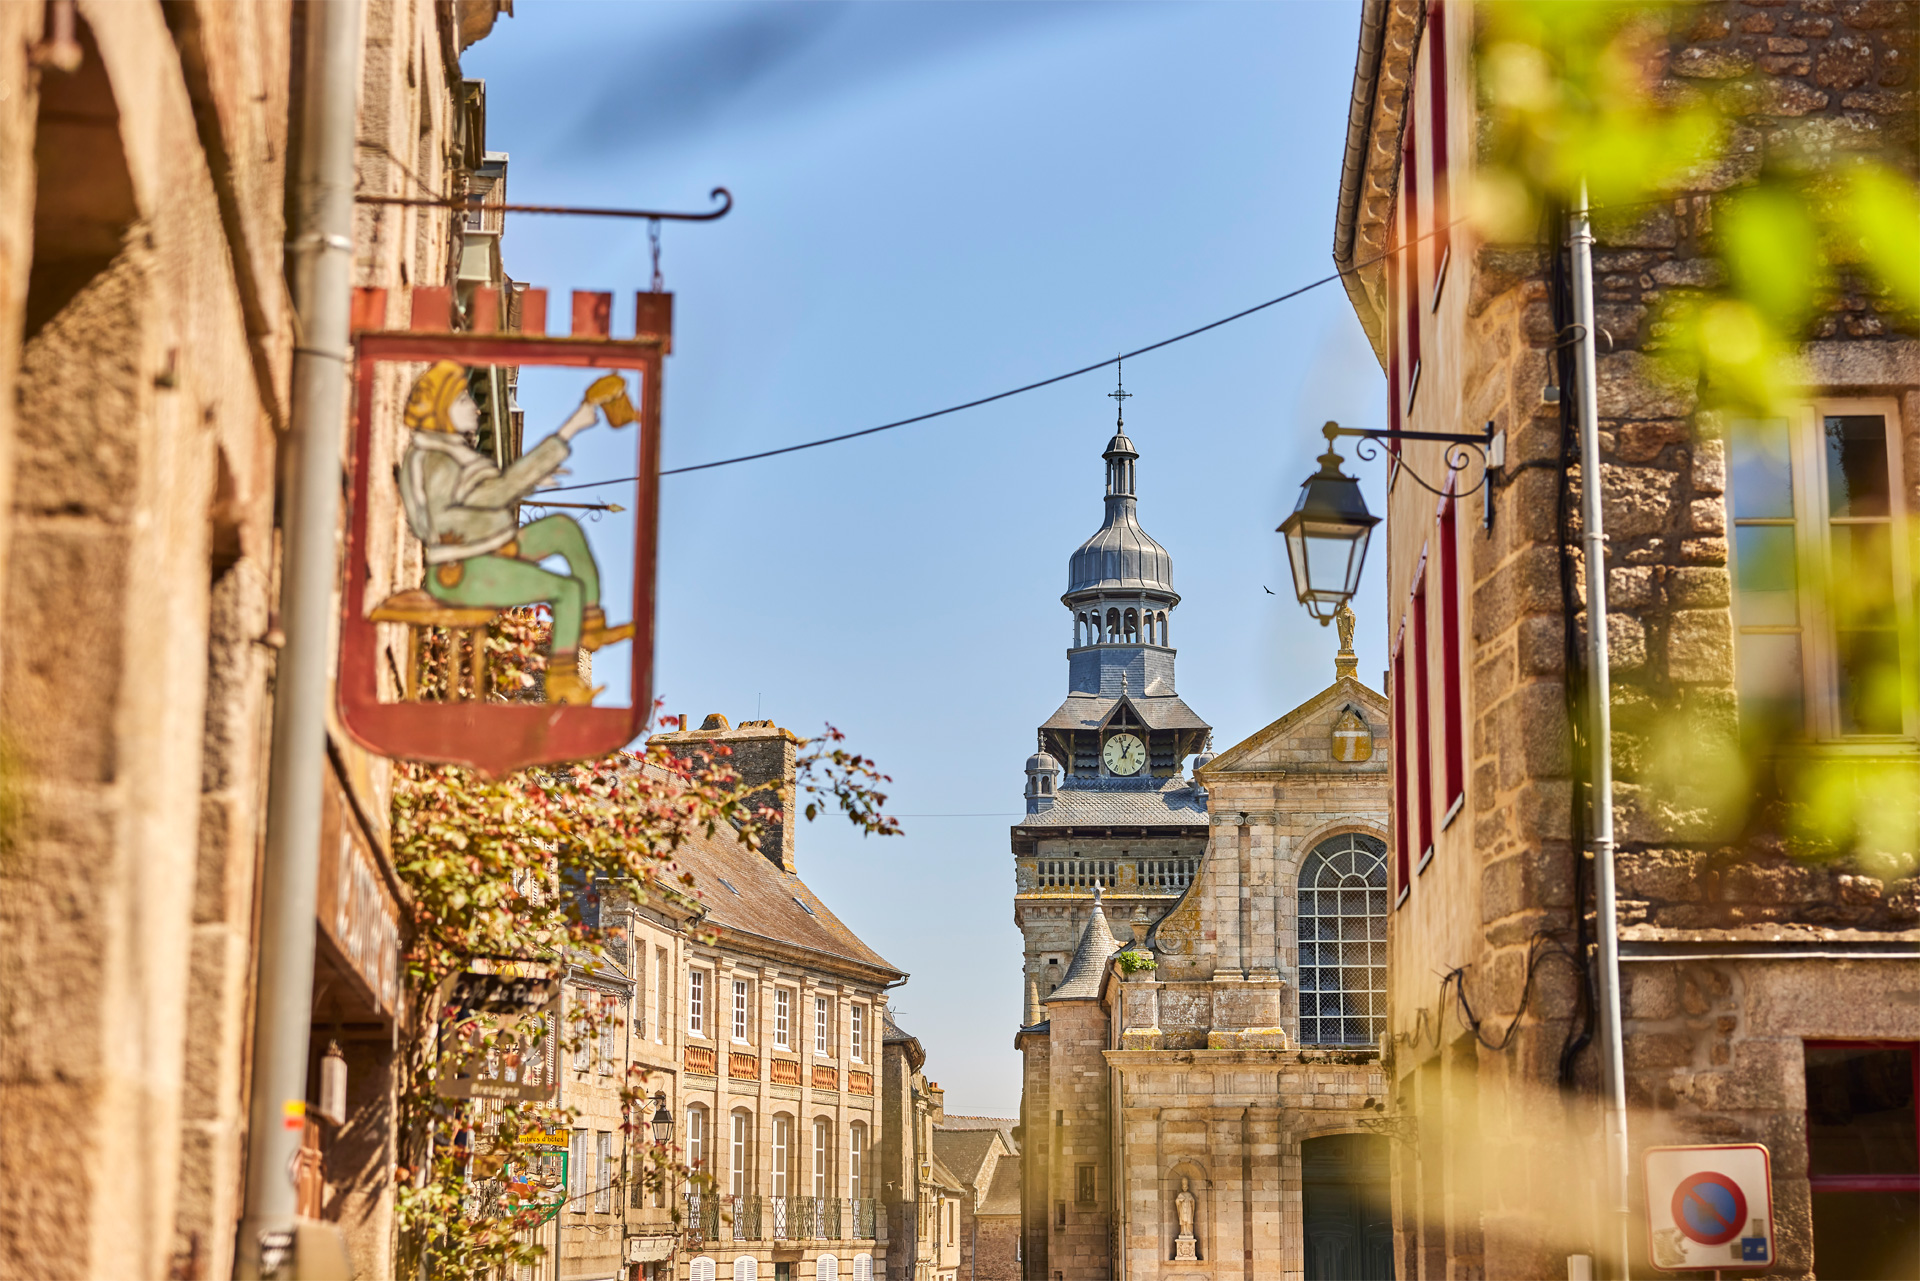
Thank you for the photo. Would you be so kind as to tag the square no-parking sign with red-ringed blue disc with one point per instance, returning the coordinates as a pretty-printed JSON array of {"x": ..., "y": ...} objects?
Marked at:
[{"x": 1710, "y": 1207}]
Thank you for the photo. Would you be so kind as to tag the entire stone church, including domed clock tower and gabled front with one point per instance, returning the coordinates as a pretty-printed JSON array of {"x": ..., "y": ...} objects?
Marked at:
[{"x": 1205, "y": 959}]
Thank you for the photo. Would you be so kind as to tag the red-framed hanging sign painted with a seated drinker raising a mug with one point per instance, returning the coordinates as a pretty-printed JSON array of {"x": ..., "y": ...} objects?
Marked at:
[{"x": 460, "y": 433}]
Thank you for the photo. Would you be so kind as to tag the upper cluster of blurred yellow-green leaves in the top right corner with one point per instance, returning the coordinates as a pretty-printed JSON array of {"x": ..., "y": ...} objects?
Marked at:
[{"x": 1583, "y": 93}]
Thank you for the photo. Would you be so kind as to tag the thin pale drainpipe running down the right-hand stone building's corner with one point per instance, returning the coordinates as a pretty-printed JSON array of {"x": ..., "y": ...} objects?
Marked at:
[{"x": 1614, "y": 1067}]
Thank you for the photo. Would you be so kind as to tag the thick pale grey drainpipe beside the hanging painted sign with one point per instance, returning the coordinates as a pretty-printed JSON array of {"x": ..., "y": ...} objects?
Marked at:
[{"x": 322, "y": 278}]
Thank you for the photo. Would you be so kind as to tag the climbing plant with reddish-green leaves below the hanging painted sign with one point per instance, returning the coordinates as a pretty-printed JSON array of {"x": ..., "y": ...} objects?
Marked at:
[{"x": 516, "y": 869}]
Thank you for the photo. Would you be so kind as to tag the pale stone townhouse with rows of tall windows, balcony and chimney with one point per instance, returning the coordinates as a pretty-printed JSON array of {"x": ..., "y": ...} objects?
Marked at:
[{"x": 771, "y": 1050}]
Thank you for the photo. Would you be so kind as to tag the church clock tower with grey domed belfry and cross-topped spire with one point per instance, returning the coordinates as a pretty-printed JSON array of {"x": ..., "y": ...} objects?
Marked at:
[{"x": 1113, "y": 834}]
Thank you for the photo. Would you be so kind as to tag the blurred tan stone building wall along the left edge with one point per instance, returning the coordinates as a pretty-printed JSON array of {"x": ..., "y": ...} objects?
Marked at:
[{"x": 145, "y": 389}]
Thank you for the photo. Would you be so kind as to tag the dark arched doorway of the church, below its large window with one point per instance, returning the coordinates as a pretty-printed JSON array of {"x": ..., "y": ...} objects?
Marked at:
[{"x": 1347, "y": 1207}]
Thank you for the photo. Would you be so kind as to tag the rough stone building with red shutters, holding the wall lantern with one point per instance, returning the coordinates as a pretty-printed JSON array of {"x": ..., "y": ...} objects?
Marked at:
[{"x": 1769, "y": 998}]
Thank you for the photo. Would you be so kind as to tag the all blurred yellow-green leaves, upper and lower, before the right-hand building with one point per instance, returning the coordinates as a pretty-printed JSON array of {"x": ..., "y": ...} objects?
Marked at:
[{"x": 1583, "y": 99}]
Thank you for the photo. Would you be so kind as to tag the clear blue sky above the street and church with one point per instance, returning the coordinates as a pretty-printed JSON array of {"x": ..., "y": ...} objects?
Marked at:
[{"x": 938, "y": 203}]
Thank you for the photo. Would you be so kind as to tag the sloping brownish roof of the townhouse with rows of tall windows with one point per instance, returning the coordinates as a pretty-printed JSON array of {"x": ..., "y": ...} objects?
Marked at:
[{"x": 746, "y": 894}]
